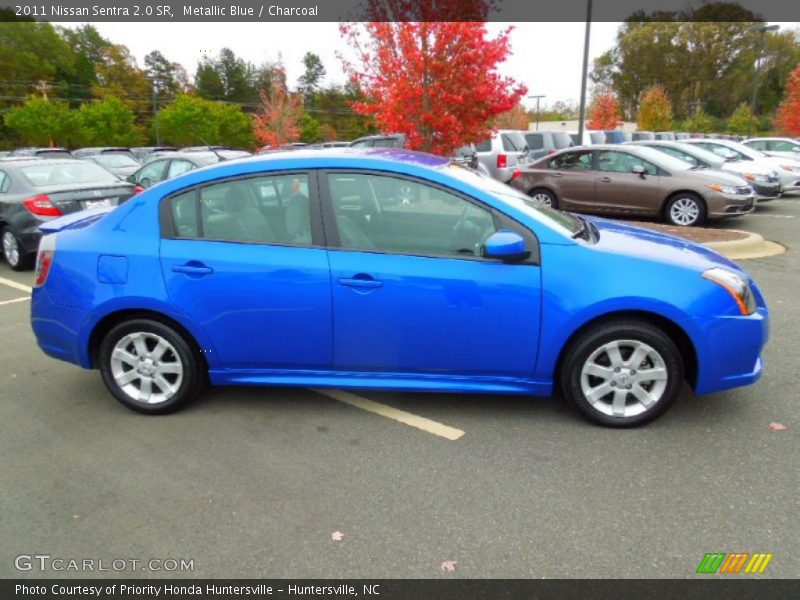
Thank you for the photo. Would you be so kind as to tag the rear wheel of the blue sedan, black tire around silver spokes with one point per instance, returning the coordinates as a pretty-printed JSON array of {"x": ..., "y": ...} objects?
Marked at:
[{"x": 193, "y": 377}]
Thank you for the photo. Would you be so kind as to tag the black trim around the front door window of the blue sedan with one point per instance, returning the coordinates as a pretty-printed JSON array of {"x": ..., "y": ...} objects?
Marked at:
[{"x": 501, "y": 220}]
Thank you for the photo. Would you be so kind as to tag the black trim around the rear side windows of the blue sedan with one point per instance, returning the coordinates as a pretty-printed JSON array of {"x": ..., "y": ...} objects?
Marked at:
[{"x": 168, "y": 229}]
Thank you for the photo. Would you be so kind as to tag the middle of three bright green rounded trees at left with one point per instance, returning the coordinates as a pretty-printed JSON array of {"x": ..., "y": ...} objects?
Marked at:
[{"x": 108, "y": 122}]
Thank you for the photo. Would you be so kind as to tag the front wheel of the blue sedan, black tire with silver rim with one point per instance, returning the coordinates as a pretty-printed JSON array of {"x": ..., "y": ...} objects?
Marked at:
[{"x": 583, "y": 351}]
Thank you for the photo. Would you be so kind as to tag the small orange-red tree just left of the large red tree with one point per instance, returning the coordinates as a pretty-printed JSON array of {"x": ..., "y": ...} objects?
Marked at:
[{"x": 277, "y": 118}]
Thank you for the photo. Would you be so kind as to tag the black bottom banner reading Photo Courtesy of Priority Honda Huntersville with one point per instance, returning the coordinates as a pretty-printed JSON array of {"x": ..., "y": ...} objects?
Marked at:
[{"x": 397, "y": 589}]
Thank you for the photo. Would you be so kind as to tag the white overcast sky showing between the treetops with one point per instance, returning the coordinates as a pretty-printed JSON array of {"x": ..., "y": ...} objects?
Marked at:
[{"x": 546, "y": 57}]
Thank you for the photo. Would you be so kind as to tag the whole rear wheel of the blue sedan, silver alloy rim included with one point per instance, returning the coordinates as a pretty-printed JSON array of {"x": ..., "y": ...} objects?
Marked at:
[{"x": 150, "y": 367}]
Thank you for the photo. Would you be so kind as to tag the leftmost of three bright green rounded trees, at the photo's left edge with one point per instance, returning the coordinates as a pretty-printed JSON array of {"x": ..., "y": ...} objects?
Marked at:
[{"x": 39, "y": 122}]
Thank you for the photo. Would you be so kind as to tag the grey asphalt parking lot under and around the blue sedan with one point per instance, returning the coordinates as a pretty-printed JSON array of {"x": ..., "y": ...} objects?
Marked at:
[{"x": 255, "y": 481}]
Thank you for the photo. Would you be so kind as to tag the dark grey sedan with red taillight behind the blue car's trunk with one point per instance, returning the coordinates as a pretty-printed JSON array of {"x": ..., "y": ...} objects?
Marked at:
[{"x": 38, "y": 190}]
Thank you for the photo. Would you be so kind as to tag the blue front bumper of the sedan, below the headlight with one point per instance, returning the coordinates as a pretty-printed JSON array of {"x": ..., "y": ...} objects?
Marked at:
[{"x": 731, "y": 354}]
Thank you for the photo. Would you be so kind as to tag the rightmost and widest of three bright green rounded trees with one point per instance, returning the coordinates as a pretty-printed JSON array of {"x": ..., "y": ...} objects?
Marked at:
[{"x": 190, "y": 120}]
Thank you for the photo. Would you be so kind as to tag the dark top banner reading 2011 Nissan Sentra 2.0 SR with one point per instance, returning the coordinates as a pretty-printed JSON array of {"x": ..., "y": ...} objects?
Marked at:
[{"x": 394, "y": 10}]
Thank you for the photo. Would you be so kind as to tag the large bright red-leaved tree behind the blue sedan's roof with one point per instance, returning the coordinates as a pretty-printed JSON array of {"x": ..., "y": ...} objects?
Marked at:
[{"x": 436, "y": 82}]
